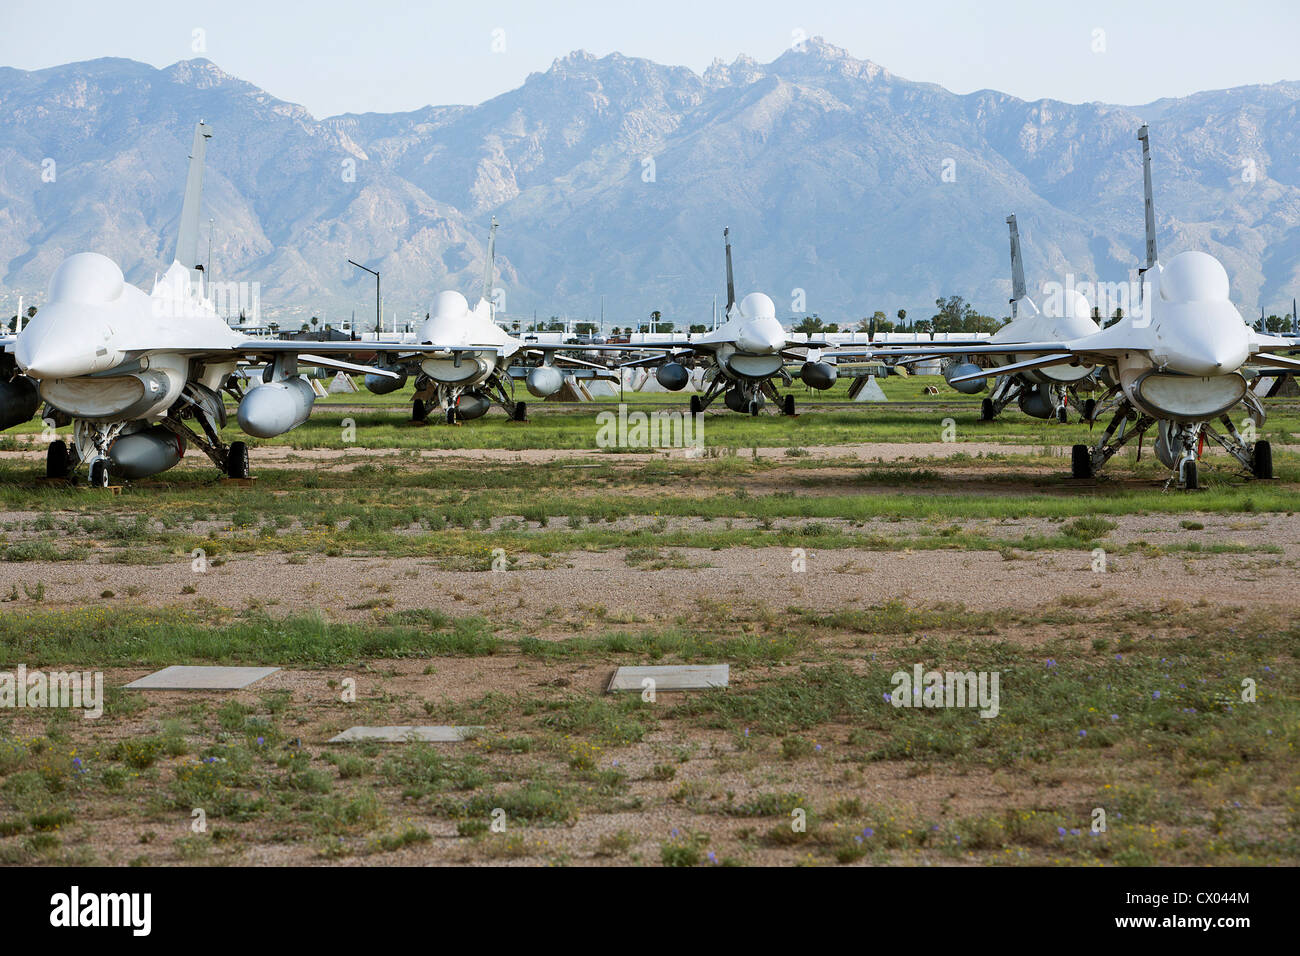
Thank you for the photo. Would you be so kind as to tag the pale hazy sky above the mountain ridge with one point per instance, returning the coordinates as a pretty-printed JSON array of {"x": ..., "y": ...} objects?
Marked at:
[{"x": 346, "y": 57}]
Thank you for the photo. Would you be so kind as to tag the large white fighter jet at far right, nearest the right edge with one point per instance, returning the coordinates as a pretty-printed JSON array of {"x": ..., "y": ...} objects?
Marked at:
[{"x": 1177, "y": 364}]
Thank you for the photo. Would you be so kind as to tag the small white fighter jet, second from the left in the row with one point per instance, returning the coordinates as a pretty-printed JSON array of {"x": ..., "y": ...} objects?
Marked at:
[{"x": 465, "y": 362}]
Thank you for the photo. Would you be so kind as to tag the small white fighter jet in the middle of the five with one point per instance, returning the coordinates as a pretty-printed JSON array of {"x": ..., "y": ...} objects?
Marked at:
[{"x": 742, "y": 357}]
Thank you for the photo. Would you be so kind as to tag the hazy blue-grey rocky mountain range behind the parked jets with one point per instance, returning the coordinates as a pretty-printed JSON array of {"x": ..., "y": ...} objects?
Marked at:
[{"x": 614, "y": 178}]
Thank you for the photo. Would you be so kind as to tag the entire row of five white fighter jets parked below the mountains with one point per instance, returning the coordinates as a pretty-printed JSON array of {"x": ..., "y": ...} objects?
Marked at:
[{"x": 142, "y": 377}]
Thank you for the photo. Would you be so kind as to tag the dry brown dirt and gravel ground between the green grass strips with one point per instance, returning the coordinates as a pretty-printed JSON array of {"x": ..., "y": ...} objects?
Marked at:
[{"x": 665, "y": 797}]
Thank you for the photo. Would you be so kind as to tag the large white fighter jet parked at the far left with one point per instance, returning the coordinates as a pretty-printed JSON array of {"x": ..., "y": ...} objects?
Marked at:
[{"x": 141, "y": 375}]
